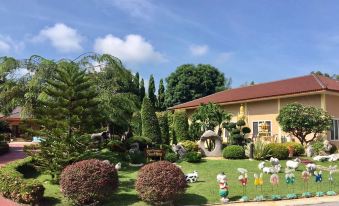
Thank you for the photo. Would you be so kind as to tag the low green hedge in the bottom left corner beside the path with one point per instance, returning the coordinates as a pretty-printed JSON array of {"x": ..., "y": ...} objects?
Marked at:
[{"x": 14, "y": 186}]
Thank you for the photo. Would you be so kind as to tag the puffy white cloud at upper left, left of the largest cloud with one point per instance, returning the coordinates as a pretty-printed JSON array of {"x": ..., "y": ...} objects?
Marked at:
[{"x": 64, "y": 38}]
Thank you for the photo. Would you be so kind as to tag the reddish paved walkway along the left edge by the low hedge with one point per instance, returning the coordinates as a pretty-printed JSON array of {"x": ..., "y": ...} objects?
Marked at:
[{"x": 16, "y": 152}]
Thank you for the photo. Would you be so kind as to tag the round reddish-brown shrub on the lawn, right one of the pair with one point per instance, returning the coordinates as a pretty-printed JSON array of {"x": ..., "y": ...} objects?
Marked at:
[{"x": 160, "y": 182}]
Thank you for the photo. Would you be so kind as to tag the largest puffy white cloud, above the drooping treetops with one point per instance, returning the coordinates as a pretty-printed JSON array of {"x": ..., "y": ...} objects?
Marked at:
[{"x": 133, "y": 49}]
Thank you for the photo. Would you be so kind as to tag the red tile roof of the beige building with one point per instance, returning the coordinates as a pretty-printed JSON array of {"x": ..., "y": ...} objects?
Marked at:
[{"x": 297, "y": 85}]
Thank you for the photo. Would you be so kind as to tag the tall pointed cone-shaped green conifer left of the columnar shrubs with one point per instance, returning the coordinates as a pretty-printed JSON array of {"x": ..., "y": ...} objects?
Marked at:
[{"x": 150, "y": 124}]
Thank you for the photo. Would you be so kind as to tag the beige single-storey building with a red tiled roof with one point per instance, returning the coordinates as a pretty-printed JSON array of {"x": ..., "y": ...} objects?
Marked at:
[{"x": 261, "y": 103}]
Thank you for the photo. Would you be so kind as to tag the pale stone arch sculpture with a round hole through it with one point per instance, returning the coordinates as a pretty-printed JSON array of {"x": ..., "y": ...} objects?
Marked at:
[{"x": 209, "y": 135}]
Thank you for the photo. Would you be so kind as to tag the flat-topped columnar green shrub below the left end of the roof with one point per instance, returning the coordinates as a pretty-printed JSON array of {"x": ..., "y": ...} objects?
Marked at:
[{"x": 181, "y": 126}]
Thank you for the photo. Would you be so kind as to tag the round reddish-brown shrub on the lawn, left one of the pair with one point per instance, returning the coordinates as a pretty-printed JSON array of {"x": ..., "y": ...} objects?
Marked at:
[{"x": 89, "y": 181}]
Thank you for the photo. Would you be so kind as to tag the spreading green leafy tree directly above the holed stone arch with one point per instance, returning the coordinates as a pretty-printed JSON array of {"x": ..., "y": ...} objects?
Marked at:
[{"x": 210, "y": 116}]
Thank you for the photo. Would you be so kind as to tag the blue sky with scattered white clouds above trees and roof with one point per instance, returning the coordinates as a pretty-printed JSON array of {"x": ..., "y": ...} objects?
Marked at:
[{"x": 260, "y": 40}]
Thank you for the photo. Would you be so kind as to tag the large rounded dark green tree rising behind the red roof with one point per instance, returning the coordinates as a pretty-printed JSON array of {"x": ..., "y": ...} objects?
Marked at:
[{"x": 190, "y": 82}]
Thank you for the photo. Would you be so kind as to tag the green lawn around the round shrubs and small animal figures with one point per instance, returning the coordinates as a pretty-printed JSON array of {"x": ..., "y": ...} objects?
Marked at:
[{"x": 206, "y": 189}]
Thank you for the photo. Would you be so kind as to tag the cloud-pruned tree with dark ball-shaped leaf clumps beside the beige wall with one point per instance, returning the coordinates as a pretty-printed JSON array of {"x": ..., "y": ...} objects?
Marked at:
[{"x": 238, "y": 132}]
